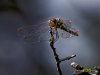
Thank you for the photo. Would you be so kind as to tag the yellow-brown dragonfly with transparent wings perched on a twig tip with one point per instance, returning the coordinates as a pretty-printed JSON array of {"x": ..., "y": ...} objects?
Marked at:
[{"x": 59, "y": 27}]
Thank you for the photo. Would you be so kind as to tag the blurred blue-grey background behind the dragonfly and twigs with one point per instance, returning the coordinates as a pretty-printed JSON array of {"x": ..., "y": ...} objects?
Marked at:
[{"x": 20, "y": 58}]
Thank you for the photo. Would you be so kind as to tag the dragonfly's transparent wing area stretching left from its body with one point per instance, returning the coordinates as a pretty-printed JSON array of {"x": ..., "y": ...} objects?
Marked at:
[{"x": 34, "y": 33}]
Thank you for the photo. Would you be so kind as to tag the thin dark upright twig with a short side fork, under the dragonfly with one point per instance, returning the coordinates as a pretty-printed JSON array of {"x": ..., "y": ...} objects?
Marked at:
[{"x": 58, "y": 60}]
